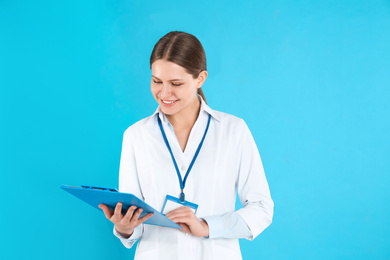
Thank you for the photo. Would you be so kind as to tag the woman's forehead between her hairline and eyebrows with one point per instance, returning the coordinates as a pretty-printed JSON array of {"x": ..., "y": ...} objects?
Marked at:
[{"x": 166, "y": 70}]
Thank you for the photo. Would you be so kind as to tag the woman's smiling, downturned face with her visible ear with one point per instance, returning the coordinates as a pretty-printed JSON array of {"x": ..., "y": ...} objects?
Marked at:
[{"x": 174, "y": 89}]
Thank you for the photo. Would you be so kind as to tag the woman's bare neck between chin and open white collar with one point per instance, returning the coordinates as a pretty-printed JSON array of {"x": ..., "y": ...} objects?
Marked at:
[{"x": 186, "y": 118}]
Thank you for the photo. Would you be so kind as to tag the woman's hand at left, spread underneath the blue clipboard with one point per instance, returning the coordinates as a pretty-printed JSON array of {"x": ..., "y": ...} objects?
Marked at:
[{"x": 125, "y": 224}]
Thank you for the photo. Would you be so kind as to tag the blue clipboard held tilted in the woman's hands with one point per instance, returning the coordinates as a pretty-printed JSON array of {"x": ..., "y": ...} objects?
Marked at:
[{"x": 95, "y": 196}]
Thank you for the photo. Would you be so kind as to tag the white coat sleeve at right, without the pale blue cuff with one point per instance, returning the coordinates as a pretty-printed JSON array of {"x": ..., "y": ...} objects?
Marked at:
[{"x": 252, "y": 186}]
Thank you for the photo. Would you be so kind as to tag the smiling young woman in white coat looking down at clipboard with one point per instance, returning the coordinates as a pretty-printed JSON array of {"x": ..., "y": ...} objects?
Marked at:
[{"x": 192, "y": 152}]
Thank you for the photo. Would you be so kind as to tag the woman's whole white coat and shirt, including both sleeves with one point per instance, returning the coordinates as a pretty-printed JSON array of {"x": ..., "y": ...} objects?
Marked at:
[{"x": 228, "y": 162}]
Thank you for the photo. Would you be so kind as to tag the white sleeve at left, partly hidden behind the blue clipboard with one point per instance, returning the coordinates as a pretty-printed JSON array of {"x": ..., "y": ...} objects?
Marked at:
[{"x": 128, "y": 181}]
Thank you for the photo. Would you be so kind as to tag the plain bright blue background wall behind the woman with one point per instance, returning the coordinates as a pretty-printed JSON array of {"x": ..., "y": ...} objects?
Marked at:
[{"x": 310, "y": 78}]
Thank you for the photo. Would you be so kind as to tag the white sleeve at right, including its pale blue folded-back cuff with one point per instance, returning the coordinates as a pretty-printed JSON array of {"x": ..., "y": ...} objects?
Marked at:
[{"x": 254, "y": 194}]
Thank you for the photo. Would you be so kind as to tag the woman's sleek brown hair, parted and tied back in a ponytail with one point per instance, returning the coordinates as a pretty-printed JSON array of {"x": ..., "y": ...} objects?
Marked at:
[{"x": 183, "y": 49}]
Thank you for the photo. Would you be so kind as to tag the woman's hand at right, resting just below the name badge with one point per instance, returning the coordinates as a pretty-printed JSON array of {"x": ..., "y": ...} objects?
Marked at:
[{"x": 185, "y": 217}]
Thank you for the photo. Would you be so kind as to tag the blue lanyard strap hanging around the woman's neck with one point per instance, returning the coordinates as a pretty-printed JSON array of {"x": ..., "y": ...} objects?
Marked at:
[{"x": 182, "y": 183}]
